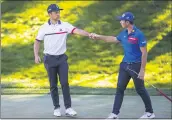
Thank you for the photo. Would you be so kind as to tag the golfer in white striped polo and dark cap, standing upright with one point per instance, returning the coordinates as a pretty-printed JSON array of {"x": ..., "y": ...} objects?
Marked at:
[{"x": 54, "y": 34}]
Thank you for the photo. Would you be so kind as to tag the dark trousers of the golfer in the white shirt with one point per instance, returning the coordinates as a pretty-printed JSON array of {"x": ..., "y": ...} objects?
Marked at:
[{"x": 57, "y": 65}]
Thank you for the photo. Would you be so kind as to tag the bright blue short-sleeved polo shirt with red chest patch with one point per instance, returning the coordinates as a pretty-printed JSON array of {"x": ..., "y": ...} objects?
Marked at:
[{"x": 131, "y": 44}]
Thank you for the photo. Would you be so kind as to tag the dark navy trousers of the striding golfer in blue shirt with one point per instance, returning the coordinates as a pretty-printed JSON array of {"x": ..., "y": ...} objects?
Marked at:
[{"x": 123, "y": 79}]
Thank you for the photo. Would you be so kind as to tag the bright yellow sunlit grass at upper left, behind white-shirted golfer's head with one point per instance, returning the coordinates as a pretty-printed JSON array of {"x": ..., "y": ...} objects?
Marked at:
[{"x": 23, "y": 30}]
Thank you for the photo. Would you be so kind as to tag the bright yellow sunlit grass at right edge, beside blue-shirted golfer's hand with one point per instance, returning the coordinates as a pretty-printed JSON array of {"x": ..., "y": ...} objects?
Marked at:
[{"x": 159, "y": 72}]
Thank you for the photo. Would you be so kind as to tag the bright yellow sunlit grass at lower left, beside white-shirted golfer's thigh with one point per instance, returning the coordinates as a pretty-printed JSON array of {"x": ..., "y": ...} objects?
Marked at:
[{"x": 34, "y": 77}]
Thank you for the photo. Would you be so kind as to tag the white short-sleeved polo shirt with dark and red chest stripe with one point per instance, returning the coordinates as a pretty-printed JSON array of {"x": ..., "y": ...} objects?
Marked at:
[{"x": 54, "y": 36}]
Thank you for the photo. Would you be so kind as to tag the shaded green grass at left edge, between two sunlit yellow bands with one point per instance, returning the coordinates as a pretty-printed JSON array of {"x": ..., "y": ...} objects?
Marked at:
[{"x": 16, "y": 57}]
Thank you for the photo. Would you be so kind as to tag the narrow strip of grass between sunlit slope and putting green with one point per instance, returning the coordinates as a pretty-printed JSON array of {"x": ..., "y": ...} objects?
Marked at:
[{"x": 81, "y": 91}]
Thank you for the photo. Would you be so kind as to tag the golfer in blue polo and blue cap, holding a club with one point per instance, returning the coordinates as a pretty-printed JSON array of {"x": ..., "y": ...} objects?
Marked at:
[{"x": 135, "y": 58}]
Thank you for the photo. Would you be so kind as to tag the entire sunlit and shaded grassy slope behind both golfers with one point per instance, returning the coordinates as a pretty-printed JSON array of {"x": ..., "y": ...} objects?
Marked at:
[{"x": 92, "y": 64}]
